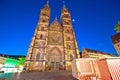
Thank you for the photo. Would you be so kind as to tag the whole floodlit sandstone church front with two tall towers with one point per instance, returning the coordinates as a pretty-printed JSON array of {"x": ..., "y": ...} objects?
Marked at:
[{"x": 53, "y": 46}]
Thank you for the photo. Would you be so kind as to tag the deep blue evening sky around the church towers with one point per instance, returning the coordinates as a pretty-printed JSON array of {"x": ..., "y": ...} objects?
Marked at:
[{"x": 94, "y": 23}]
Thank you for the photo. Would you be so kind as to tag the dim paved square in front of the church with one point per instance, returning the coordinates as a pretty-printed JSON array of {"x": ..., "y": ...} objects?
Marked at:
[{"x": 63, "y": 75}]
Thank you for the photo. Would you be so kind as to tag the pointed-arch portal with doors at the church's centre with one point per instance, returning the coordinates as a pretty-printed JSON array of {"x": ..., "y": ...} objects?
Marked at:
[{"x": 55, "y": 57}]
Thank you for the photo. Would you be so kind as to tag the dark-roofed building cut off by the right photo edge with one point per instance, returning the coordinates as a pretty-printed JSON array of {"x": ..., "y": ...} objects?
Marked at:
[{"x": 116, "y": 42}]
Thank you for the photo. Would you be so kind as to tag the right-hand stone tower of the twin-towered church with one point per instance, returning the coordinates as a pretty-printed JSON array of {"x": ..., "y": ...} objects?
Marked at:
[{"x": 70, "y": 44}]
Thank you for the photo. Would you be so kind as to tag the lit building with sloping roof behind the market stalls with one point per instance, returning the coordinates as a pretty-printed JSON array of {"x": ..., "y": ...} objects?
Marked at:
[{"x": 89, "y": 53}]
